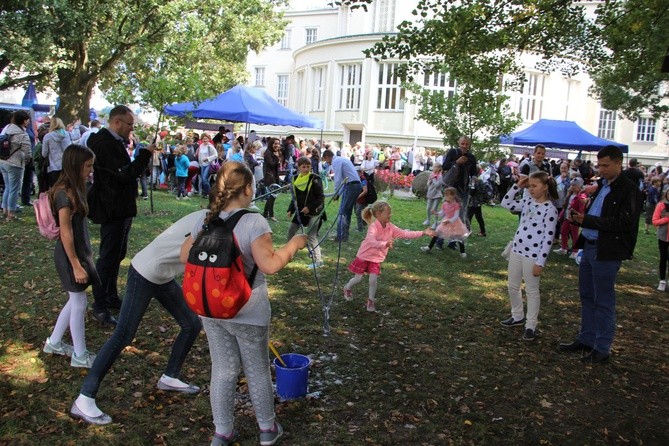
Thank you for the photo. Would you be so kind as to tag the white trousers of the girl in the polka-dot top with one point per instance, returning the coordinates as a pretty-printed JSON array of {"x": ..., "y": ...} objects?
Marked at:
[{"x": 520, "y": 268}]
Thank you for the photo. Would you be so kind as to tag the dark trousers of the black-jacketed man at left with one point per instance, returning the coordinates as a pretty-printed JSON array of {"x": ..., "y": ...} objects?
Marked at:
[{"x": 113, "y": 247}]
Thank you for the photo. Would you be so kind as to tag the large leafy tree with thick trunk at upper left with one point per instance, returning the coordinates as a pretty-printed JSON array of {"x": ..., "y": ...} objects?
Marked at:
[{"x": 152, "y": 51}]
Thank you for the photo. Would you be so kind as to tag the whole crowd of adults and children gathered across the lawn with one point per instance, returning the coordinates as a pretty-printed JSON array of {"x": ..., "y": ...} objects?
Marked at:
[{"x": 597, "y": 207}]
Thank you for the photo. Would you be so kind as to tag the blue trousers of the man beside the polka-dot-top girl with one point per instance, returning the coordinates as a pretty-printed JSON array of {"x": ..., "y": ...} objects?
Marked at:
[{"x": 596, "y": 286}]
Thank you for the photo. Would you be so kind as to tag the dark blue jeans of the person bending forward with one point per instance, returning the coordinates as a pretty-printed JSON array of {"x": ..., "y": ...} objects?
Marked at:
[{"x": 139, "y": 293}]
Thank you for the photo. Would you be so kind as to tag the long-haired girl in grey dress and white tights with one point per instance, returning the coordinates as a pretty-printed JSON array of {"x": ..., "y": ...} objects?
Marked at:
[{"x": 73, "y": 254}]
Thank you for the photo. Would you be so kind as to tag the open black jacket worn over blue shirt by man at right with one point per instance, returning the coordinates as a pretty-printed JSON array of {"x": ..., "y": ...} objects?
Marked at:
[{"x": 618, "y": 224}]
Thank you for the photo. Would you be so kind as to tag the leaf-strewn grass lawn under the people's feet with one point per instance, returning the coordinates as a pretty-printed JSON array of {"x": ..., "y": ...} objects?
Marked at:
[{"x": 433, "y": 366}]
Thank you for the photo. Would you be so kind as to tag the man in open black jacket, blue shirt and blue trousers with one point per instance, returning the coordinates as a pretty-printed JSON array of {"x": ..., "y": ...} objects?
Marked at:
[{"x": 610, "y": 226}]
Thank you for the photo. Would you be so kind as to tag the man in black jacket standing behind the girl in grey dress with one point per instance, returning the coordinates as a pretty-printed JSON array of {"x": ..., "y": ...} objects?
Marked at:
[{"x": 112, "y": 204}]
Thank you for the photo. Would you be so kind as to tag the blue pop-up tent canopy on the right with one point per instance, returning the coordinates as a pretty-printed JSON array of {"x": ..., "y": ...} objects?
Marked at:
[{"x": 560, "y": 135}]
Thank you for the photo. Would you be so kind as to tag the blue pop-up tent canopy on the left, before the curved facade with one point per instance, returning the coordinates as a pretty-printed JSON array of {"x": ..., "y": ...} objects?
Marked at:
[{"x": 243, "y": 104}]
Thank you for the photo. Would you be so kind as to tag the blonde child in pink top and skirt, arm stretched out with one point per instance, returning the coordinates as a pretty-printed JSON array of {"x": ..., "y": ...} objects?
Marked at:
[{"x": 374, "y": 248}]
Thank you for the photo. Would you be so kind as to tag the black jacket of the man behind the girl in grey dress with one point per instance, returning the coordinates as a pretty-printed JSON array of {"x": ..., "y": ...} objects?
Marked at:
[{"x": 114, "y": 191}]
